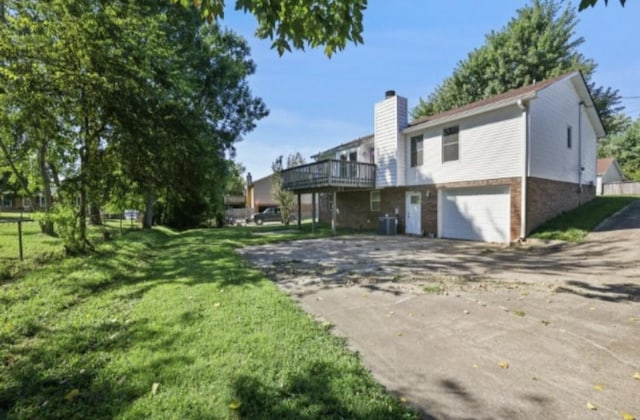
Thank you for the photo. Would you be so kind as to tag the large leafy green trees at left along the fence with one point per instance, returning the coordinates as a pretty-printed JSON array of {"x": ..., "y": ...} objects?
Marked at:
[{"x": 122, "y": 99}]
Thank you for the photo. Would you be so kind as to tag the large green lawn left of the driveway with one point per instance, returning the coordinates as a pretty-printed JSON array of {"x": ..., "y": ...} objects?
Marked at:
[{"x": 160, "y": 324}]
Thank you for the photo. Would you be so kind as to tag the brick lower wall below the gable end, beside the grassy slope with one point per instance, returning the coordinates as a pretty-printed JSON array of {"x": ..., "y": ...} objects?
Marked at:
[{"x": 546, "y": 199}]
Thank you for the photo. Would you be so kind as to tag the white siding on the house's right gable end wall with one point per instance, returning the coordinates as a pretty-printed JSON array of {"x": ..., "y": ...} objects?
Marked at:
[{"x": 552, "y": 112}]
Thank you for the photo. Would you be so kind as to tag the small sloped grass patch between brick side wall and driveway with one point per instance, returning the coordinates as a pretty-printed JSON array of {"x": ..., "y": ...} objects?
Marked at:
[{"x": 574, "y": 225}]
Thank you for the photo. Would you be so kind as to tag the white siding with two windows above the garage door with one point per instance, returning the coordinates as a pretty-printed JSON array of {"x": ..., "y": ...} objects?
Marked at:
[{"x": 489, "y": 146}]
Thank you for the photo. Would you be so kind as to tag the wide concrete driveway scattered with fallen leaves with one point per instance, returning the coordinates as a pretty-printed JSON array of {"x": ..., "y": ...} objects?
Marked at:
[{"x": 468, "y": 330}]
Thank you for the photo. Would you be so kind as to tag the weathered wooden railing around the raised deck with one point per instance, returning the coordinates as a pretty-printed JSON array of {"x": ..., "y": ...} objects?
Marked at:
[{"x": 330, "y": 173}]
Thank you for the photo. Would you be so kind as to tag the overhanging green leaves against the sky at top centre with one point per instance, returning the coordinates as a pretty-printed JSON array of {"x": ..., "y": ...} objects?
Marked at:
[{"x": 296, "y": 23}]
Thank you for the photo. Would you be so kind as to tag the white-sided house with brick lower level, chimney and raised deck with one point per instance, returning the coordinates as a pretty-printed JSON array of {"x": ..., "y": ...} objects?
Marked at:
[{"x": 492, "y": 170}]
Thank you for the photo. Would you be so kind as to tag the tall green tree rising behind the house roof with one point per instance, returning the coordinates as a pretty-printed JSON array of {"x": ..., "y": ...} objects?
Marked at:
[{"x": 539, "y": 43}]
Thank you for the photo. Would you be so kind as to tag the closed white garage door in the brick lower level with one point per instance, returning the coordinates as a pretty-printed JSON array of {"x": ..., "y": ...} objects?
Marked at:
[{"x": 480, "y": 214}]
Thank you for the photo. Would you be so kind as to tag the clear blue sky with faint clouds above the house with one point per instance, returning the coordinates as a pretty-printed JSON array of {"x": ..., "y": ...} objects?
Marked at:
[{"x": 410, "y": 46}]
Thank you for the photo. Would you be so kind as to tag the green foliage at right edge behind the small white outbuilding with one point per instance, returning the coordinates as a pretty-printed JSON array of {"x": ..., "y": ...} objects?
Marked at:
[{"x": 625, "y": 148}]
